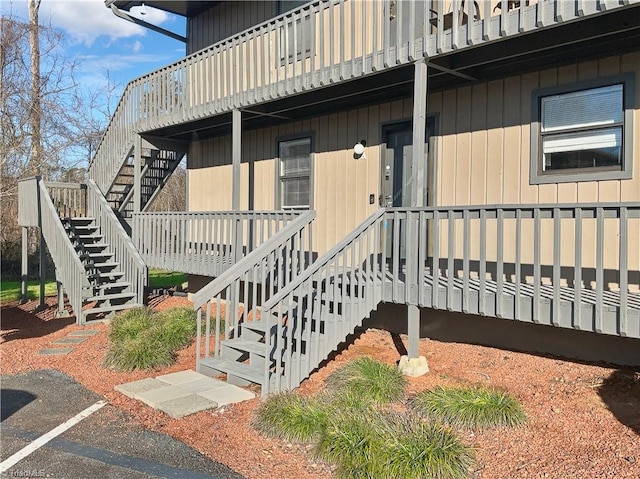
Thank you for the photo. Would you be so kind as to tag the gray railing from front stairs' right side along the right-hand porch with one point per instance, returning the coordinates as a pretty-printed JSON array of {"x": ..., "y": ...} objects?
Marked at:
[{"x": 568, "y": 265}]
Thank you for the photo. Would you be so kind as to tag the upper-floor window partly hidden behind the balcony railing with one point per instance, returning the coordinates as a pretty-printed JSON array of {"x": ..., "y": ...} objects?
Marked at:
[{"x": 295, "y": 37}]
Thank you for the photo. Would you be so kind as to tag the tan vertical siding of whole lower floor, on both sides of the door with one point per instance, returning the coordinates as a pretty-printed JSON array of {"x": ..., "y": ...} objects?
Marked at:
[{"x": 483, "y": 155}]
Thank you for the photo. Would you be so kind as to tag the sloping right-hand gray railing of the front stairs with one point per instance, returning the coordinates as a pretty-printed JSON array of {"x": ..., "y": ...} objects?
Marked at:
[{"x": 300, "y": 290}]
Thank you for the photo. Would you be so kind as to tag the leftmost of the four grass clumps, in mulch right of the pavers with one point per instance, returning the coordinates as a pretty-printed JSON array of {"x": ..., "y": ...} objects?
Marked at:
[{"x": 290, "y": 416}]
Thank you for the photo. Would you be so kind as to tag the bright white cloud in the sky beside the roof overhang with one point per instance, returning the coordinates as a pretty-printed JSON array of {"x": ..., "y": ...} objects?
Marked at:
[{"x": 86, "y": 20}]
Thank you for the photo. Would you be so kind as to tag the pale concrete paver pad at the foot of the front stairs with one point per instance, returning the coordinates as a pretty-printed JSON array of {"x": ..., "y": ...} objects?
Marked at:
[{"x": 183, "y": 393}]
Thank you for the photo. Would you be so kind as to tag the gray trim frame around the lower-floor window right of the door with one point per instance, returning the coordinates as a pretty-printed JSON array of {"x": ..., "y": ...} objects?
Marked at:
[{"x": 538, "y": 176}]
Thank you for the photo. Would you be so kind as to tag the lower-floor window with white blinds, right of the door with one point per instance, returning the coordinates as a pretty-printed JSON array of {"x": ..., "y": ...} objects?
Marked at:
[{"x": 583, "y": 134}]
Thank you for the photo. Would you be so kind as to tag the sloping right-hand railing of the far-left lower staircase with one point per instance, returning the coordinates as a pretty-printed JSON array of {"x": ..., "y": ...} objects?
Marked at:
[{"x": 134, "y": 268}]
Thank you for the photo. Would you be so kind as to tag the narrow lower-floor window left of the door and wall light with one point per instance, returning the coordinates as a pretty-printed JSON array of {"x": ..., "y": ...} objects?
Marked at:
[{"x": 295, "y": 173}]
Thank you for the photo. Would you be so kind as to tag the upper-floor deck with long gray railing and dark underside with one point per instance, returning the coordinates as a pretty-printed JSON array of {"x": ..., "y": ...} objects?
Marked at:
[{"x": 328, "y": 43}]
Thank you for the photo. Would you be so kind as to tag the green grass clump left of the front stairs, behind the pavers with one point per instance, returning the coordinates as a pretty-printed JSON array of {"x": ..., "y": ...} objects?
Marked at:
[{"x": 144, "y": 339}]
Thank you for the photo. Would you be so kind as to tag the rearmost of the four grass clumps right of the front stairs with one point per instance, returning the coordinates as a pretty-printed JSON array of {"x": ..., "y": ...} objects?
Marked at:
[{"x": 365, "y": 377}]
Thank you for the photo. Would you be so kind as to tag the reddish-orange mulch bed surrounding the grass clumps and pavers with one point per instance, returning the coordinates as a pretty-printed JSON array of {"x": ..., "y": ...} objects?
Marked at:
[{"x": 584, "y": 420}]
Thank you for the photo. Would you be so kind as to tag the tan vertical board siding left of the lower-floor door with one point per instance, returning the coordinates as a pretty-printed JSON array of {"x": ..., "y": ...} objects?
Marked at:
[{"x": 342, "y": 184}]
